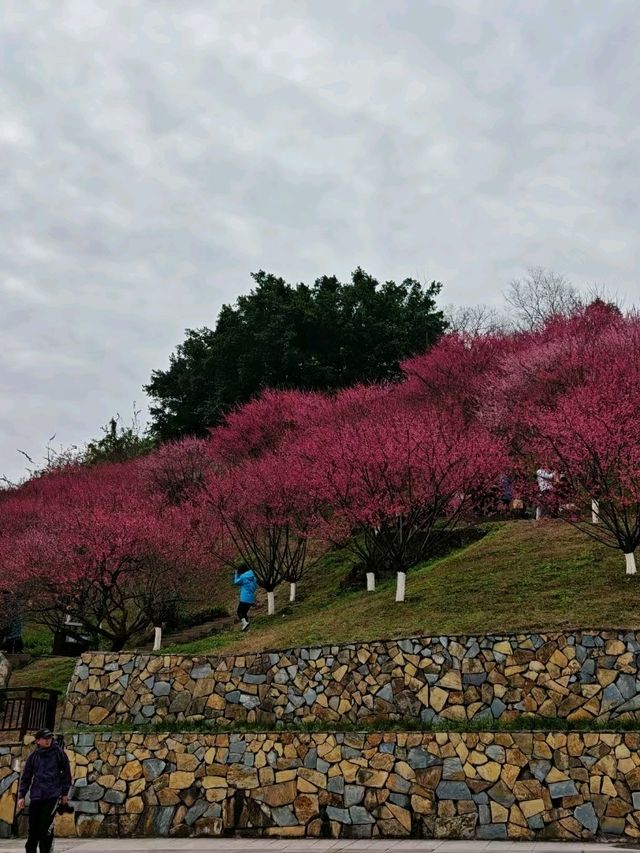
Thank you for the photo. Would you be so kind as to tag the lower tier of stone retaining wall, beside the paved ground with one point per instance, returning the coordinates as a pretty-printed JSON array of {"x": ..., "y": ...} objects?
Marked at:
[{"x": 351, "y": 785}]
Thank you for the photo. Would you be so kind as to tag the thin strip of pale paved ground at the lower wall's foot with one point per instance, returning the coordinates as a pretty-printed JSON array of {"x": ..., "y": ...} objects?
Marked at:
[{"x": 269, "y": 845}]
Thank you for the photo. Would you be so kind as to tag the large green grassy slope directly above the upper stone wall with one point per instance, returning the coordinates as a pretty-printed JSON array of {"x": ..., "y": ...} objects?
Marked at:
[{"x": 523, "y": 575}]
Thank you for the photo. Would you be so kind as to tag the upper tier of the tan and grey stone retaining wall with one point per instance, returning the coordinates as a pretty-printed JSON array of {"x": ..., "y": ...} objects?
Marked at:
[{"x": 578, "y": 675}]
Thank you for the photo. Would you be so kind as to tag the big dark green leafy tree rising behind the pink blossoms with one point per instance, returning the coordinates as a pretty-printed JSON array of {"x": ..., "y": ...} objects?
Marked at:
[{"x": 320, "y": 337}]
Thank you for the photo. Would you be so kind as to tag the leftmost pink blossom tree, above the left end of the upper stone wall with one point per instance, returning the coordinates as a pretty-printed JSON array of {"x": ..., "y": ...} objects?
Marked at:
[{"x": 100, "y": 552}]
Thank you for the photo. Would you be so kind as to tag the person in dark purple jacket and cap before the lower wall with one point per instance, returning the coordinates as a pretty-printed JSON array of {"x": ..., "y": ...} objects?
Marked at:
[{"x": 47, "y": 778}]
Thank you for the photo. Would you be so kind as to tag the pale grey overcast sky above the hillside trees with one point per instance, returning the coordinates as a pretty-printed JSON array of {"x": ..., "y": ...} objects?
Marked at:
[{"x": 155, "y": 152}]
